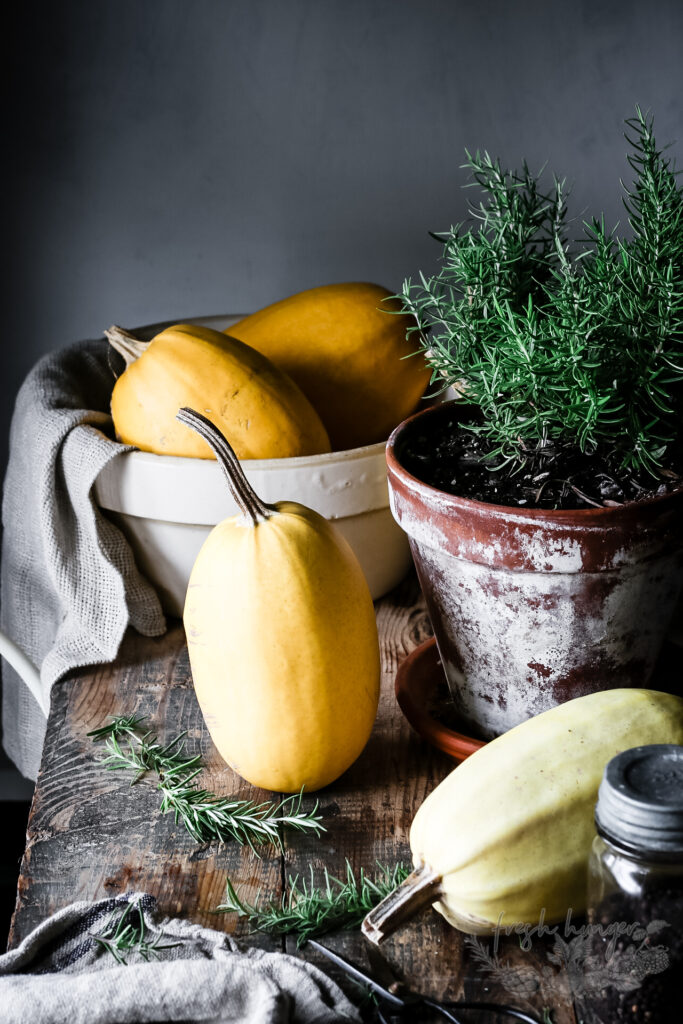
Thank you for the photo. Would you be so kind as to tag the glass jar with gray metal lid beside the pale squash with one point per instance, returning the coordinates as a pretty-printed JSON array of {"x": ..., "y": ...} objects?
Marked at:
[{"x": 632, "y": 969}]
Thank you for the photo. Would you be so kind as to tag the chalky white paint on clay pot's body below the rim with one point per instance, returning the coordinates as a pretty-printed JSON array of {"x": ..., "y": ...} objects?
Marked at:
[{"x": 533, "y": 629}]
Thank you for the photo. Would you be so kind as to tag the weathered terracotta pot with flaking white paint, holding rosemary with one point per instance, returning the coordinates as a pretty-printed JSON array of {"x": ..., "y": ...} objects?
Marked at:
[{"x": 534, "y": 608}]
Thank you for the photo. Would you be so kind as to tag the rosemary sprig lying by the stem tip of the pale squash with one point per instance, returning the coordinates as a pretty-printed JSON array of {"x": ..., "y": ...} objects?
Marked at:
[{"x": 309, "y": 911}]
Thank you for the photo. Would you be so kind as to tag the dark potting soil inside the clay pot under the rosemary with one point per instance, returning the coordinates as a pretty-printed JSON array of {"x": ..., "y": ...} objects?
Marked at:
[{"x": 445, "y": 455}]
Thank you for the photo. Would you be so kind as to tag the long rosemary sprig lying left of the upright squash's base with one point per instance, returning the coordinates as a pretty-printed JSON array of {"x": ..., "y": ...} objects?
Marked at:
[{"x": 206, "y": 817}]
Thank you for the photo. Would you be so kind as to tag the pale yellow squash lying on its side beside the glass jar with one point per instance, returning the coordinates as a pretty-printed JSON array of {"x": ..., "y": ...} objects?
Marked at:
[{"x": 507, "y": 835}]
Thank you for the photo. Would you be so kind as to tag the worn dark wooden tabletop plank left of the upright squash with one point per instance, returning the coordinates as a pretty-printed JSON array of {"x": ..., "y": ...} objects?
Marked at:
[{"x": 92, "y": 835}]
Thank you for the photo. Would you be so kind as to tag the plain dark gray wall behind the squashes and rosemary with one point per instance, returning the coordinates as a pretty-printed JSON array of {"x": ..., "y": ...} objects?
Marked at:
[{"x": 172, "y": 158}]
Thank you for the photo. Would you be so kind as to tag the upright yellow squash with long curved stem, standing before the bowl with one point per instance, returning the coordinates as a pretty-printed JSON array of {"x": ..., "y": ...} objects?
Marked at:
[{"x": 282, "y": 637}]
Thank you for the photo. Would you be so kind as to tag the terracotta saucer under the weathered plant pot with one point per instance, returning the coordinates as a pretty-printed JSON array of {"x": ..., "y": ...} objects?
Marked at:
[{"x": 423, "y": 697}]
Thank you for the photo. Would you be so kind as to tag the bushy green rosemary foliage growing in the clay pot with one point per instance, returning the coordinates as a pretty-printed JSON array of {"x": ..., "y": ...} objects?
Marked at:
[{"x": 561, "y": 343}]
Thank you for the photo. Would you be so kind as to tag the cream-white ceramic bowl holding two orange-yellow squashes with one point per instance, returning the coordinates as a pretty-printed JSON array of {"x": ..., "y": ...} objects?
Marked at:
[{"x": 166, "y": 506}]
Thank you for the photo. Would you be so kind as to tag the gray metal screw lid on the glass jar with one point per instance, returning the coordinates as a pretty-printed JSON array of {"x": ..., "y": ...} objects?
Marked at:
[{"x": 641, "y": 801}]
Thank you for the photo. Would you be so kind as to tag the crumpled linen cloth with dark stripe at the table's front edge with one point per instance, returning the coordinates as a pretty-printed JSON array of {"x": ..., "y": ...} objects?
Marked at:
[{"x": 61, "y": 974}]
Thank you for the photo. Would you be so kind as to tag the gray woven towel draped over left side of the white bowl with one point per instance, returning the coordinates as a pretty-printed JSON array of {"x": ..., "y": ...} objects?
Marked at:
[{"x": 70, "y": 586}]
